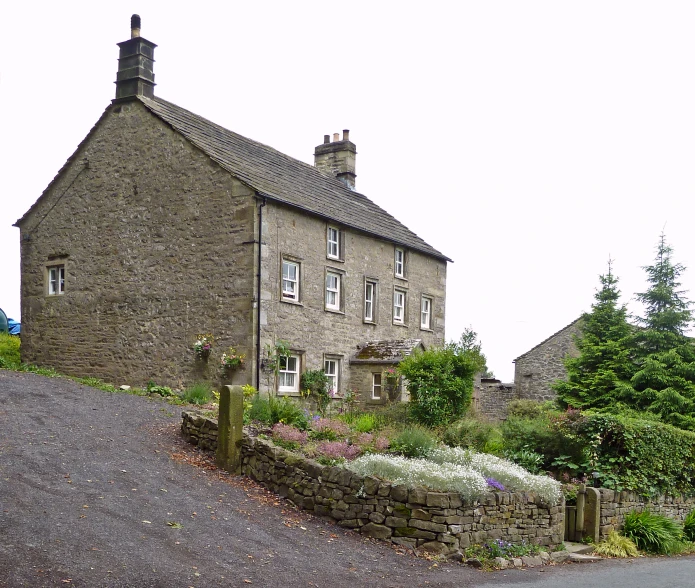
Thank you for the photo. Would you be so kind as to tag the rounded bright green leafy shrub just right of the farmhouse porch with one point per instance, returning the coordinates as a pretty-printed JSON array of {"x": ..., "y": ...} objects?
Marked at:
[{"x": 440, "y": 382}]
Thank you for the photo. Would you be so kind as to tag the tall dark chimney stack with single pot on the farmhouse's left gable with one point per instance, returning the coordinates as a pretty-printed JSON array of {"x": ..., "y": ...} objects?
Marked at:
[{"x": 135, "y": 75}]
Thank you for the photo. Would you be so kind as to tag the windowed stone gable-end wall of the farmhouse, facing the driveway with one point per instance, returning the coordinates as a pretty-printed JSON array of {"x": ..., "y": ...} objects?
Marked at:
[{"x": 157, "y": 243}]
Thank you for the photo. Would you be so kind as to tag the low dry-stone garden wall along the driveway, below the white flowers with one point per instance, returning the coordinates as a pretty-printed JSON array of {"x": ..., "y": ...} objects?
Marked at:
[{"x": 440, "y": 522}]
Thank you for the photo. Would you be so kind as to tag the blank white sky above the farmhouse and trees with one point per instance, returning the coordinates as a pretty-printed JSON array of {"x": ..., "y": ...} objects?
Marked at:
[{"x": 525, "y": 140}]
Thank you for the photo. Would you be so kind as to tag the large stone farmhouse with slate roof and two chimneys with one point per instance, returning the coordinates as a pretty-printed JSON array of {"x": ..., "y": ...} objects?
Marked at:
[{"x": 163, "y": 225}]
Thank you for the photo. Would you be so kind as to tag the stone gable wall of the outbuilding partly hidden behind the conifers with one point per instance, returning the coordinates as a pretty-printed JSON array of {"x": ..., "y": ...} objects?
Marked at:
[{"x": 537, "y": 369}]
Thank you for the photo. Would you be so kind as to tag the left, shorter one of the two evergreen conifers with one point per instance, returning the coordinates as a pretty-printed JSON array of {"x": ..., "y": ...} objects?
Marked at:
[{"x": 603, "y": 366}]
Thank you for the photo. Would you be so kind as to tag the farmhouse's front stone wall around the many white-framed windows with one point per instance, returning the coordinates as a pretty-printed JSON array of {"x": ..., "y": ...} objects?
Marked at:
[{"x": 315, "y": 332}]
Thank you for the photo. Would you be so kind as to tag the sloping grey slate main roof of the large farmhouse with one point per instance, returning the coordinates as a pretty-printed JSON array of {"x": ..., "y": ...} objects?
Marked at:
[{"x": 284, "y": 179}]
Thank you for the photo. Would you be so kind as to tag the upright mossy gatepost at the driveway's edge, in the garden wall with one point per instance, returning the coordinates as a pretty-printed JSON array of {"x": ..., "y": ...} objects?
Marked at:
[{"x": 230, "y": 429}]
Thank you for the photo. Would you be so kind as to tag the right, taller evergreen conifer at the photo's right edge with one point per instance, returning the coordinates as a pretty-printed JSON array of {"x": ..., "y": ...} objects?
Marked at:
[{"x": 664, "y": 381}]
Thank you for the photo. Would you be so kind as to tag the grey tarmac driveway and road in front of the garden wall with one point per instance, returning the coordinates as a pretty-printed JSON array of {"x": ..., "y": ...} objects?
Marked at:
[{"x": 98, "y": 490}]
